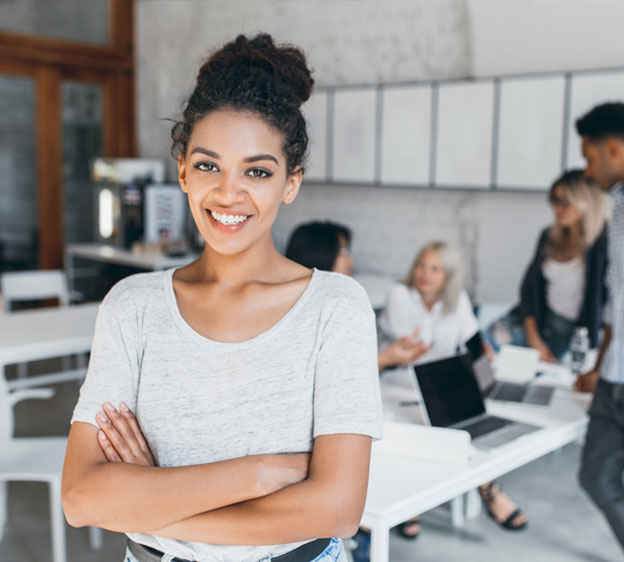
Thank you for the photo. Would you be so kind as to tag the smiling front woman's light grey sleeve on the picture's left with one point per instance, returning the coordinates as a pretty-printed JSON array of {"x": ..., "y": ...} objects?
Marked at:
[{"x": 113, "y": 370}]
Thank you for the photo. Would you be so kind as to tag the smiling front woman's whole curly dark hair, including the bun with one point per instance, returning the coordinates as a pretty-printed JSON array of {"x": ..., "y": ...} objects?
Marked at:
[{"x": 258, "y": 76}]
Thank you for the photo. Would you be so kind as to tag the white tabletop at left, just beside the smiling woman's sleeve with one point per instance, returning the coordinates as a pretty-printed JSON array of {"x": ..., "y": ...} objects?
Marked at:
[{"x": 46, "y": 332}]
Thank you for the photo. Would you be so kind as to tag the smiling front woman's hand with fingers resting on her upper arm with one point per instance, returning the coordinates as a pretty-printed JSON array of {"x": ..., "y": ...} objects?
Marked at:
[{"x": 121, "y": 438}]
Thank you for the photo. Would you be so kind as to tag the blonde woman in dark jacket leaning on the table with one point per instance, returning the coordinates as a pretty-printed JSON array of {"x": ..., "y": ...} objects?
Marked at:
[{"x": 564, "y": 285}]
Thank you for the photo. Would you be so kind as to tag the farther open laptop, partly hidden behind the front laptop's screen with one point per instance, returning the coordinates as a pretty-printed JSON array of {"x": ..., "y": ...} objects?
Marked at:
[{"x": 538, "y": 395}]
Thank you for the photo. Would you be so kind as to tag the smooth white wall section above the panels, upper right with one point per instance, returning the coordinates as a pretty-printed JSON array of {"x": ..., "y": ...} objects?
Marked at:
[{"x": 520, "y": 36}]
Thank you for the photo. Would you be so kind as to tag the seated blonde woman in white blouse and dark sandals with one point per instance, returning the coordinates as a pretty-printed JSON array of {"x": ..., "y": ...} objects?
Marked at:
[{"x": 432, "y": 300}]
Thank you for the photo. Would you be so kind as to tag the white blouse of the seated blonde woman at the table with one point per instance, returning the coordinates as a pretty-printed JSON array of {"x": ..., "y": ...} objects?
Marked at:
[{"x": 405, "y": 311}]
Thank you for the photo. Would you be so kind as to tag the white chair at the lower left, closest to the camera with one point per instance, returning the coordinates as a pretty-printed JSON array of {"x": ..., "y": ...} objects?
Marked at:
[{"x": 34, "y": 459}]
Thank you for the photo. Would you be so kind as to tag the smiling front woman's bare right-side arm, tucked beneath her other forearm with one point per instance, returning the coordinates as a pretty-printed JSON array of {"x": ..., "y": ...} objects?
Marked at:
[{"x": 327, "y": 504}]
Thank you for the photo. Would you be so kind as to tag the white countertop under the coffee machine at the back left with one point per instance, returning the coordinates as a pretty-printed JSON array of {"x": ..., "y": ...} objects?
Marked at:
[{"x": 121, "y": 256}]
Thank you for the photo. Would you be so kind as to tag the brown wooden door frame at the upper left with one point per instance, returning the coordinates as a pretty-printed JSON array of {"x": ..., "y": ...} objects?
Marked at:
[{"x": 49, "y": 62}]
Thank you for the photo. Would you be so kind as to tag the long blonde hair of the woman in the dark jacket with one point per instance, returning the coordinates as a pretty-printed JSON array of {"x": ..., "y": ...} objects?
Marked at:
[{"x": 592, "y": 203}]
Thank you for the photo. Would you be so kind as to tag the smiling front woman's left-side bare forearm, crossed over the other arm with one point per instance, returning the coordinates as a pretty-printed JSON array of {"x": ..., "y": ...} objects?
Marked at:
[{"x": 126, "y": 497}]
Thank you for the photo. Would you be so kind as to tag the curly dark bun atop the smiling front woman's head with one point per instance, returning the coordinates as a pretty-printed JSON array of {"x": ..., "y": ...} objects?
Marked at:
[{"x": 285, "y": 63}]
